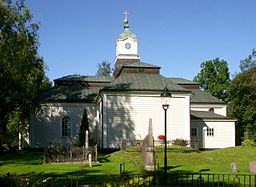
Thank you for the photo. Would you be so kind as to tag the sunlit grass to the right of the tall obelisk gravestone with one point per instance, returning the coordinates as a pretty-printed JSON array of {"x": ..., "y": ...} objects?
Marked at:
[{"x": 217, "y": 161}]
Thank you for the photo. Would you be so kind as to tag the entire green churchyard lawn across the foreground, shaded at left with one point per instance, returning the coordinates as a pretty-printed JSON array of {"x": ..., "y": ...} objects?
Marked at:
[{"x": 217, "y": 161}]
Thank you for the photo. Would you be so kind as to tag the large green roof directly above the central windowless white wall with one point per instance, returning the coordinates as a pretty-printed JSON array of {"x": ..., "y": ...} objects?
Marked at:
[{"x": 147, "y": 82}]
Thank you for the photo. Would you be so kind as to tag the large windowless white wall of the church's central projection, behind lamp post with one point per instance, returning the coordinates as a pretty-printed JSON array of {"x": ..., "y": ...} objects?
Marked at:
[{"x": 127, "y": 118}]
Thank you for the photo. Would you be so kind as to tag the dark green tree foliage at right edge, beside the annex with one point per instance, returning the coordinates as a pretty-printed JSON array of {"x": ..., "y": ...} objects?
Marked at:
[{"x": 242, "y": 94}]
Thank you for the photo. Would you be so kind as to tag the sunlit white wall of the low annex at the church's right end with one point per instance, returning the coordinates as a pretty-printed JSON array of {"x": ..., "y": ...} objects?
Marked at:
[{"x": 223, "y": 133}]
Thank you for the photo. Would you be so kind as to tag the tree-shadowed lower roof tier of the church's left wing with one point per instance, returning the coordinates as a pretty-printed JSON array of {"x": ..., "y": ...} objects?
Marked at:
[{"x": 70, "y": 93}]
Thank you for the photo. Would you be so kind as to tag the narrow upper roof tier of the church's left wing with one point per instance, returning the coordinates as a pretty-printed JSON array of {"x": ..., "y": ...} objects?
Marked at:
[{"x": 82, "y": 78}]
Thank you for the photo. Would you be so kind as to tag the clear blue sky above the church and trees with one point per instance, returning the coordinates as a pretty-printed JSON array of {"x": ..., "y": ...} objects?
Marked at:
[{"x": 177, "y": 35}]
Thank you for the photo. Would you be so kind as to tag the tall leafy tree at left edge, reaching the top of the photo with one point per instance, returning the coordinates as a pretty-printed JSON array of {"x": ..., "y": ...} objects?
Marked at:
[{"x": 22, "y": 75}]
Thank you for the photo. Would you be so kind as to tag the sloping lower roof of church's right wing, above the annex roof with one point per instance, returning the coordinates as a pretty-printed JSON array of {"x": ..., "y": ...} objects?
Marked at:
[{"x": 200, "y": 96}]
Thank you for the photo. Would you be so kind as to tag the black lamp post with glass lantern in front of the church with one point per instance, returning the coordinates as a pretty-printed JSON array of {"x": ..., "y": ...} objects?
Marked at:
[{"x": 165, "y": 96}]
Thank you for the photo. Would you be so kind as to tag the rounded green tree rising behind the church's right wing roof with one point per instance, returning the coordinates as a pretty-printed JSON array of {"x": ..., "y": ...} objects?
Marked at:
[{"x": 214, "y": 78}]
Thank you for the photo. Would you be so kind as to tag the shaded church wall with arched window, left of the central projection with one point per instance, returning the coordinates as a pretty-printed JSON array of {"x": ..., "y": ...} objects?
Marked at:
[{"x": 46, "y": 125}]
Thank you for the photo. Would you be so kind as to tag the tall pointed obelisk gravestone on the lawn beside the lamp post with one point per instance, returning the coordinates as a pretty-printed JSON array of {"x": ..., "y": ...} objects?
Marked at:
[{"x": 148, "y": 156}]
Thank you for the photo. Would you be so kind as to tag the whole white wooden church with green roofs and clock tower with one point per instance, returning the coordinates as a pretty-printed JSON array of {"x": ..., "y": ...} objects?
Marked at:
[{"x": 119, "y": 107}]
